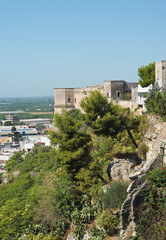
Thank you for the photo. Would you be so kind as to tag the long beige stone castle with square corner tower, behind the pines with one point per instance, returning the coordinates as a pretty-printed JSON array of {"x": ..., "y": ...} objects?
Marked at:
[{"x": 115, "y": 90}]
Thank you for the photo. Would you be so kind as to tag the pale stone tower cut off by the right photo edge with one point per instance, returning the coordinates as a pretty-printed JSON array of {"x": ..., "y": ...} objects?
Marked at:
[{"x": 160, "y": 74}]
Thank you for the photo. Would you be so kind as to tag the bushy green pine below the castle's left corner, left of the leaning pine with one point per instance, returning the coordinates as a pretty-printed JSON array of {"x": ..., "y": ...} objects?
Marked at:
[{"x": 73, "y": 145}]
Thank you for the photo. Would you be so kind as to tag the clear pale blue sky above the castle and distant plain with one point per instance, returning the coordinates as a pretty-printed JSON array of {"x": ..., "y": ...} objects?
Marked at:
[{"x": 46, "y": 44}]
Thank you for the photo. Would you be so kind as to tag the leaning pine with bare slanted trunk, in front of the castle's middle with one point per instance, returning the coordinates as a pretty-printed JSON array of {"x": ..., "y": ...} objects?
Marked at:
[{"x": 106, "y": 118}]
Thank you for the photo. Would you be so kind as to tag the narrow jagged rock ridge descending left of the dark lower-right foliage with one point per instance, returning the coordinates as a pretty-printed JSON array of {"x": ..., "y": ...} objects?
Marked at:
[{"x": 128, "y": 210}]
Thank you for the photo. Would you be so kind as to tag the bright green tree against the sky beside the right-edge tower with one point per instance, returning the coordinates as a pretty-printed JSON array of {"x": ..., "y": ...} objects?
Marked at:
[{"x": 147, "y": 74}]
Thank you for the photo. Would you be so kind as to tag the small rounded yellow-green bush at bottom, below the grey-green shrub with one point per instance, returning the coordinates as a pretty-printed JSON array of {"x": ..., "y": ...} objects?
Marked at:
[{"x": 107, "y": 221}]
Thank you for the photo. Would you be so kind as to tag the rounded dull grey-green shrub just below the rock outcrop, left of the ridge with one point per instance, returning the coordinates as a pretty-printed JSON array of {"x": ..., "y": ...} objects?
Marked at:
[{"x": 115, "y": 195}]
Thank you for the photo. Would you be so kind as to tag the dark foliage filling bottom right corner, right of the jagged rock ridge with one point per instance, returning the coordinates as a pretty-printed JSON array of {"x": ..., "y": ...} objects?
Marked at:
[{"x": 152, "y": 212}]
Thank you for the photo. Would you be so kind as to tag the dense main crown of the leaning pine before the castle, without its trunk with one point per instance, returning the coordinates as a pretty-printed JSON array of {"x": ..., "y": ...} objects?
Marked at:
[{"x": 100, "y": 115}]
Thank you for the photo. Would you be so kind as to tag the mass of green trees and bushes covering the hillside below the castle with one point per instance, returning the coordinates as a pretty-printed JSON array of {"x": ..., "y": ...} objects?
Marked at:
[{"x": 52, "y": 191}]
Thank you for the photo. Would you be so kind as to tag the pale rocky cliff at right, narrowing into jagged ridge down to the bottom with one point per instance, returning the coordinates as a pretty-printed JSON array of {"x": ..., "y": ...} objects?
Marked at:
[{"x": 154, "y": 136}]
